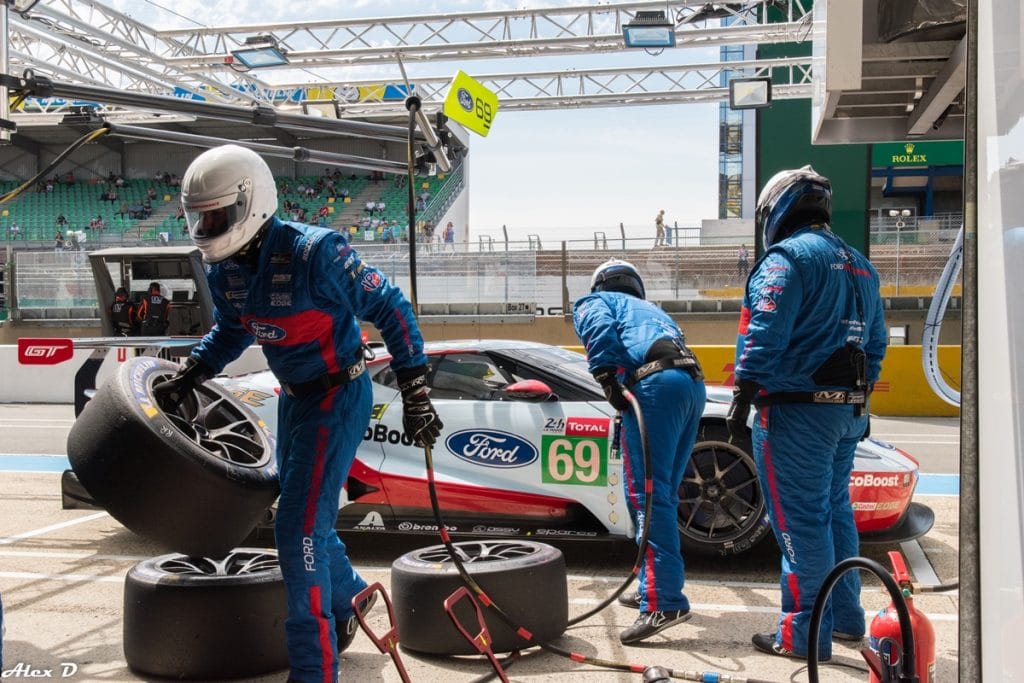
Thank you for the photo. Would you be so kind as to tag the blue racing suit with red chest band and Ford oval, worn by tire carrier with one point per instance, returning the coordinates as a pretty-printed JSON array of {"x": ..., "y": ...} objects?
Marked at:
[{"x": 300, "y": 297}]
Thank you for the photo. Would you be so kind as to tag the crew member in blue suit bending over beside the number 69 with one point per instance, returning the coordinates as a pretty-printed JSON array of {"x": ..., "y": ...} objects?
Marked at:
[{"x": 633, "y": 344}]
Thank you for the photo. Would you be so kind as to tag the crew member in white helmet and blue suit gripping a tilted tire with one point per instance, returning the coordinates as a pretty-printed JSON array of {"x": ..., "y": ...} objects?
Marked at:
[{"x": 298, "y": 291}]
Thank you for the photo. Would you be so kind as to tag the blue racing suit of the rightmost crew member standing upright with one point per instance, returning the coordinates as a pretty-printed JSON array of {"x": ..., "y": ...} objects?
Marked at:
[{"x": 807, "y": 297}]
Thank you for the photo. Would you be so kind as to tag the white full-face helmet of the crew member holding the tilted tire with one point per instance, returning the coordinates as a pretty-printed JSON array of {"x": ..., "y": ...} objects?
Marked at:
[{"x": 228, "y": 194}]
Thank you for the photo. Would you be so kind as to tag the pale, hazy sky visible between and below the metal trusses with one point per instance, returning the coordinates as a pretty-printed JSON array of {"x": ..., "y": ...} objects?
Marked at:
[{"x": 563, "y": 175}]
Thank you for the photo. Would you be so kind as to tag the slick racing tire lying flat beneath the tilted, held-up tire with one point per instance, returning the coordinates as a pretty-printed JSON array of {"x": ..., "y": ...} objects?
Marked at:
[{"x": 200, "y": 619}]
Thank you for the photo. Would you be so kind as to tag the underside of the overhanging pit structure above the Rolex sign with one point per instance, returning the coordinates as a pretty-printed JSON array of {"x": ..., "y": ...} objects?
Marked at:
[{"x": 867, "y": 91}]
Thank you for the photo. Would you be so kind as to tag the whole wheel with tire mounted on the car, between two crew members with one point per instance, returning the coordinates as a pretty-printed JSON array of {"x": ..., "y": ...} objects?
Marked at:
[{"x": 721, "y": 507}]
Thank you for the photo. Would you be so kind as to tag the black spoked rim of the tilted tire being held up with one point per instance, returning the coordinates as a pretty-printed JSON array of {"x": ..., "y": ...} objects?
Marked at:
[{"x": 217, "y": 424}]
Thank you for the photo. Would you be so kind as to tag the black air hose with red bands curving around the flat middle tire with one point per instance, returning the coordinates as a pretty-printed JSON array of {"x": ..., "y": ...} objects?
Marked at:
[{"x": 525, "y": 633}]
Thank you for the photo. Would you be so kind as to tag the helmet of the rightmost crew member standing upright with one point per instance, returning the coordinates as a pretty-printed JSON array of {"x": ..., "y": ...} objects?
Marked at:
[{"x": 792, "y": 200}]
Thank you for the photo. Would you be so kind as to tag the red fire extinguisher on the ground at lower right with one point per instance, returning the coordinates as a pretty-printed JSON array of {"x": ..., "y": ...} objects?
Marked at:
[{"x": 885, "y": 638}]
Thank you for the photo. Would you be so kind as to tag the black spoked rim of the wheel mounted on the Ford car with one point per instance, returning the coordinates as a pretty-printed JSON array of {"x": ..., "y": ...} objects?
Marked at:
[{"x": 720, "y": 500}]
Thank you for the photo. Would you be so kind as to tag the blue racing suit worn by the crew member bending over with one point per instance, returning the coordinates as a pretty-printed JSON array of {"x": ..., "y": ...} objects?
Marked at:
[{"x": 618, "y": 331}]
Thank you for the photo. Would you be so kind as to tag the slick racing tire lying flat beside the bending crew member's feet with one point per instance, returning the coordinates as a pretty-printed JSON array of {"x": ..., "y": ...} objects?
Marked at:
[{"x": 527, "y": 580}]
